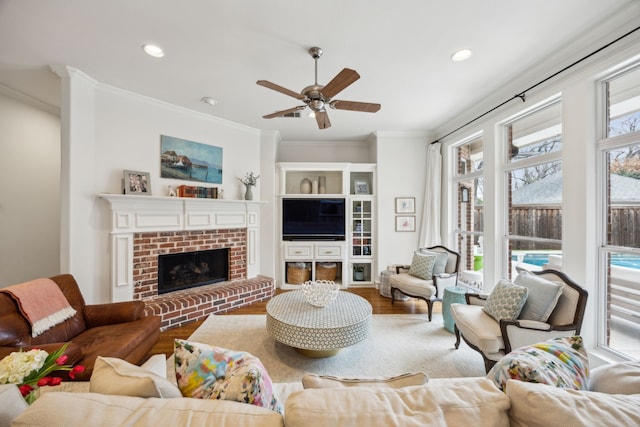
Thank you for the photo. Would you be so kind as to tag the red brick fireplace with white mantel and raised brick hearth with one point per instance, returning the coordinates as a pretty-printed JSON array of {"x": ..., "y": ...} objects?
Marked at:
[{"x": 145, "y": 227}]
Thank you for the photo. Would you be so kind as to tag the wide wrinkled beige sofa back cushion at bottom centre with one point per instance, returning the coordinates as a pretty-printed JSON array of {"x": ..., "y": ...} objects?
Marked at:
[{"x": 454, "y": 402}]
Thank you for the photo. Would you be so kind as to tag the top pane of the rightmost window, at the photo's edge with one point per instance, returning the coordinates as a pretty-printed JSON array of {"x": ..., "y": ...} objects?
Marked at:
[{"x": 623, "y": 114}]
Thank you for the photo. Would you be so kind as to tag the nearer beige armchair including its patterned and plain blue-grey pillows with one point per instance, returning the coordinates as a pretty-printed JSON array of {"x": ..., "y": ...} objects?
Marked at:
[{"x": 553, "y": 306}]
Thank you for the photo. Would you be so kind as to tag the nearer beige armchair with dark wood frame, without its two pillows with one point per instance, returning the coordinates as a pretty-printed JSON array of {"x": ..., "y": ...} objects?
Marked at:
[{"x": 494, "y": 339}]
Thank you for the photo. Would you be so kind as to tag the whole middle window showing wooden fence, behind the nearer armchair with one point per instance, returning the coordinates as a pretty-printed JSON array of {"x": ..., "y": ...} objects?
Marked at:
[{"x": 533, "y": 178}]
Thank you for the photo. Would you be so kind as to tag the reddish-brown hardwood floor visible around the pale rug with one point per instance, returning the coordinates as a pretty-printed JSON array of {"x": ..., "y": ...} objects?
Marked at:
[{"x": 380, "y": 305}]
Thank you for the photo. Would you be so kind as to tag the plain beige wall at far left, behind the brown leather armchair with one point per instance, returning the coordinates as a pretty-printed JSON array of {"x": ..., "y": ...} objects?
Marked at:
[{"x": 29, "y": 189}]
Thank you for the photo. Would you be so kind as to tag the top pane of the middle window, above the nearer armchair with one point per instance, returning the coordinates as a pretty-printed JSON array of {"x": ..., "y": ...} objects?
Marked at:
[{"x": 536, "y": 134}]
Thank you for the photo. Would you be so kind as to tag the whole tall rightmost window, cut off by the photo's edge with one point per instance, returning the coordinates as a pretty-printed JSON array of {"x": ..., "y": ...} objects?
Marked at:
[{"x": 620, "y": 253}]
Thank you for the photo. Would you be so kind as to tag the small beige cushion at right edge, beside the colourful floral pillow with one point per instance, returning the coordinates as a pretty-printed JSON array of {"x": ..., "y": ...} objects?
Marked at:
[{"x": 616, "y": 378}]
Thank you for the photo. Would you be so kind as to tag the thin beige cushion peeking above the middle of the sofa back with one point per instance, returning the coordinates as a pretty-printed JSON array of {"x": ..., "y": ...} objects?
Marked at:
[{"x": 325, "y": 381}]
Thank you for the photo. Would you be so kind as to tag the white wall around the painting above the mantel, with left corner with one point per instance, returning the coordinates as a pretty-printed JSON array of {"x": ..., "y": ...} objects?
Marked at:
[{"x": 107, "y": 130}]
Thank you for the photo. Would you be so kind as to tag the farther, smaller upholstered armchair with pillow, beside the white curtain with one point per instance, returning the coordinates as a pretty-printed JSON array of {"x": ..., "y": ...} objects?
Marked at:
[{"x": 431, "y": 270}]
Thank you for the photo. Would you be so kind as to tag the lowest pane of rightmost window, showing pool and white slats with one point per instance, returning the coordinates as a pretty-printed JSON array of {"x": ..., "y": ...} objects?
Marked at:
[{"x": 623, "y": 307}]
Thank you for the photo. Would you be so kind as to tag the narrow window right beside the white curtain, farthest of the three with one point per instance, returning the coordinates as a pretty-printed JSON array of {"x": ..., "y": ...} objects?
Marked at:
[{"x": 469, "y": 209}]
